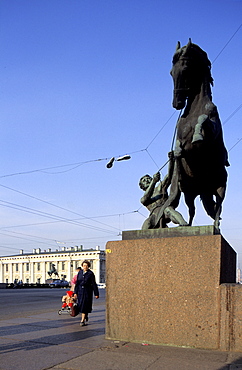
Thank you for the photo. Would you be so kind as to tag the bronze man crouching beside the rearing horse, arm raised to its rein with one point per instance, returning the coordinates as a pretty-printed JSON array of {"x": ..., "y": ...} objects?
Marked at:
[{"x": 155, "y": 198}]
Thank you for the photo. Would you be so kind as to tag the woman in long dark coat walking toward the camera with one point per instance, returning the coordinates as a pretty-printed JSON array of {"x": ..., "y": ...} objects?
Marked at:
[{"x": 84, "y": 289}]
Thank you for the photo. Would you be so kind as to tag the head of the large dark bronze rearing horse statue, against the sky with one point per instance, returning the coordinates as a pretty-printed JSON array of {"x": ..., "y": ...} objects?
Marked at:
[{"x": 190, "y": 68}]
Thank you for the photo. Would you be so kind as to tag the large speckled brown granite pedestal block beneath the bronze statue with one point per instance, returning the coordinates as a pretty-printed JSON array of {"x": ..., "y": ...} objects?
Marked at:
[{"x": 166, "y": 290}]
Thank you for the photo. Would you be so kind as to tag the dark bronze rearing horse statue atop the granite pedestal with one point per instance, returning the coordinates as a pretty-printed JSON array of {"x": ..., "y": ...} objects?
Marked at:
[{"x": 200, "y": 154}]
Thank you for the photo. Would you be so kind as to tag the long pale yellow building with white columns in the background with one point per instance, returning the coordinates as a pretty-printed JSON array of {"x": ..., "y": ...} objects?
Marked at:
[{"x": 33, "y": 267}]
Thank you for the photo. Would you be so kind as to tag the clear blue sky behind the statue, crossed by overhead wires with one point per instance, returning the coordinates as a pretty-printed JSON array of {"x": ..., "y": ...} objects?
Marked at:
[{"x": 83, "y": 81}]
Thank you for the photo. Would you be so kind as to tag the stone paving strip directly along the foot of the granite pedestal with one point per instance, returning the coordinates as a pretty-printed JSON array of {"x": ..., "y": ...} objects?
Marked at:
[{"x": 132, "y": 356}]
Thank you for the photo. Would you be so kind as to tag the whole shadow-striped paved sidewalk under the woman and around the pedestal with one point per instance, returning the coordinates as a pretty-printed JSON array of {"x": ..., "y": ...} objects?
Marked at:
[{"x": 50, "y": 342}]
